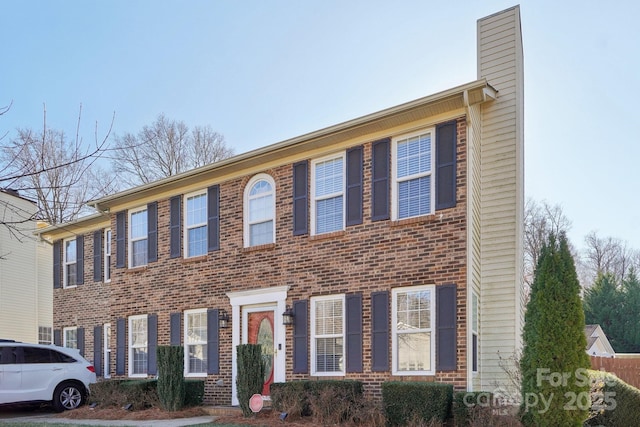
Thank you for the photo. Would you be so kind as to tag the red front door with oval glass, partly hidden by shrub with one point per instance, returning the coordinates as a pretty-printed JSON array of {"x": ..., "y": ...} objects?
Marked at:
[{"x": 260, "y": 330}]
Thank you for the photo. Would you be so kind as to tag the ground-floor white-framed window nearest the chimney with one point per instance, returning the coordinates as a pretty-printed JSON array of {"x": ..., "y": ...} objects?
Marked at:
[{"x": 413, "y": 334}]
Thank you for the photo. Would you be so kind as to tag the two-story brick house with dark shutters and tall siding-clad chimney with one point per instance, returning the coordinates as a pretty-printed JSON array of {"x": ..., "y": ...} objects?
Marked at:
[{"x": 387, "y": 247}]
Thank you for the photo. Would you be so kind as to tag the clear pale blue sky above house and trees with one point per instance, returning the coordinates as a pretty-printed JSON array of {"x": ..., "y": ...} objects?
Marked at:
[{"x": 260, "y": 72}]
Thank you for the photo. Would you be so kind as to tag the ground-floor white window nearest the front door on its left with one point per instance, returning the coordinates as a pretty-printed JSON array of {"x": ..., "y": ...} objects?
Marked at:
[{"x": 195, "y": 342}]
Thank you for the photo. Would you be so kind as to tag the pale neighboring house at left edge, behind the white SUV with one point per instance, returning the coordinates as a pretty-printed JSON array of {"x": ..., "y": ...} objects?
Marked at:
[{"x": 26, "y": 294}]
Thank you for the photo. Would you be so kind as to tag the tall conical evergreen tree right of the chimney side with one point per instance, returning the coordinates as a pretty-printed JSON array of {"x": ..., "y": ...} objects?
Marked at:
[{"x": 555, "y": 387}]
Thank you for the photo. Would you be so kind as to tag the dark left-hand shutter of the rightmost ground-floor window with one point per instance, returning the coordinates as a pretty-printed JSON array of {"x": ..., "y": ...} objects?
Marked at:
[{"x": 380, "y": 342}]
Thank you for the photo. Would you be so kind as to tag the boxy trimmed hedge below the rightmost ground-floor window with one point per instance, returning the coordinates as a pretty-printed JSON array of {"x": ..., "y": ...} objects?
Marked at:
[{"x": 412, "y": 401}]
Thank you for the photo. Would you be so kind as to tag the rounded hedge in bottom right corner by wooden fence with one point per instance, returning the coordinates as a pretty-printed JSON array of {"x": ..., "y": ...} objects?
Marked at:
[{"x": 614, "y": 402}]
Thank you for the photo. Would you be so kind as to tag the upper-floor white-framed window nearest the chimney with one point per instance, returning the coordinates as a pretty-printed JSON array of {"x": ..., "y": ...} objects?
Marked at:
[{"x": 413, "y": 187}]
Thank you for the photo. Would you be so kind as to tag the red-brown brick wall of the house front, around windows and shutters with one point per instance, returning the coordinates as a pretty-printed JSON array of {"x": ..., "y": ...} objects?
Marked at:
[{"x": 369, "y": 257}]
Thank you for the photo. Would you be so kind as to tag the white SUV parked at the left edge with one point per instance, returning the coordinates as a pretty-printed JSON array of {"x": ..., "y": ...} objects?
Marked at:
[{"x": 35, "y": 372}]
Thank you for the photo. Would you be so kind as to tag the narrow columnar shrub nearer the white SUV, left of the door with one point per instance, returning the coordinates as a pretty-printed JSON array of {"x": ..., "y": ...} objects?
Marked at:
[{"x": 171, "y": 390}]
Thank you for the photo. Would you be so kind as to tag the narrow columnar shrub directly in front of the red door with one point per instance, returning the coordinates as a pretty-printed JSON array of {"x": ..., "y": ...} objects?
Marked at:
[{"x": 250, "y": 379}]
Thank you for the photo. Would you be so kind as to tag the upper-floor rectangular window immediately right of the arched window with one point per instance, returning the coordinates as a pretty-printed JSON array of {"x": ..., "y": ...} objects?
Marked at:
[{"x": 327, "y": 187}]
